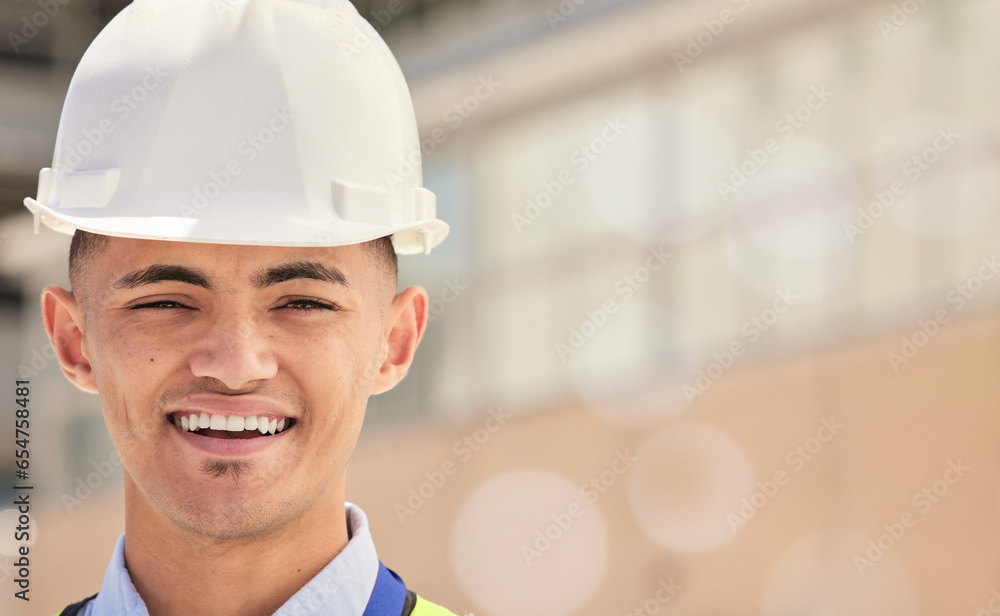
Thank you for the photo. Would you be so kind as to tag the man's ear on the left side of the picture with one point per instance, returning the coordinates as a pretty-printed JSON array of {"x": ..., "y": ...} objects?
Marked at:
[{"x": 64, "y": 325}]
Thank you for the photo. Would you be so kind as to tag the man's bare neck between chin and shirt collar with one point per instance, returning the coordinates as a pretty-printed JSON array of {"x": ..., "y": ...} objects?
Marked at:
[{"x": 179, "y": 572}]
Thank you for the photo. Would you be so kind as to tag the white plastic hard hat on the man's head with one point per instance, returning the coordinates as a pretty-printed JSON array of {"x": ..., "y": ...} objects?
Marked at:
[{"x": 273, "y": 122}]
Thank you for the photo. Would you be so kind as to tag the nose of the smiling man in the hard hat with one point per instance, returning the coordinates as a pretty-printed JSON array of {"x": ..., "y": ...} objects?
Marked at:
[{"x": 234, "y": 351}]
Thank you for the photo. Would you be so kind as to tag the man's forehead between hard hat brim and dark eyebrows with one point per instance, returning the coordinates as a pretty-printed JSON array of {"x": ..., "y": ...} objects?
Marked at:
[{"x": 223, "y": 263}]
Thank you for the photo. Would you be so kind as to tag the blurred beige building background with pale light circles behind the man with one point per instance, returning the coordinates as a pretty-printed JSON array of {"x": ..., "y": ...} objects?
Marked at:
[{"x": 716, "y": 331}]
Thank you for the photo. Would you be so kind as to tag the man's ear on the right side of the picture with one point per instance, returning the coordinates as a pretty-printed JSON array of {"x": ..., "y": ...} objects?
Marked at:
[{"x": 404, "y": 323}]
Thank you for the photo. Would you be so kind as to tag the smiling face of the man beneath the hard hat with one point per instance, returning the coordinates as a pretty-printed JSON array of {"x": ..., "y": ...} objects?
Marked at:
[{"x": 297, "y": 337}]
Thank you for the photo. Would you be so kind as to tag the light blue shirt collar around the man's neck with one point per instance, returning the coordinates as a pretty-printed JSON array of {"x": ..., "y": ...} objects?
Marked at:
[{"x": 342, "y": 588}]
